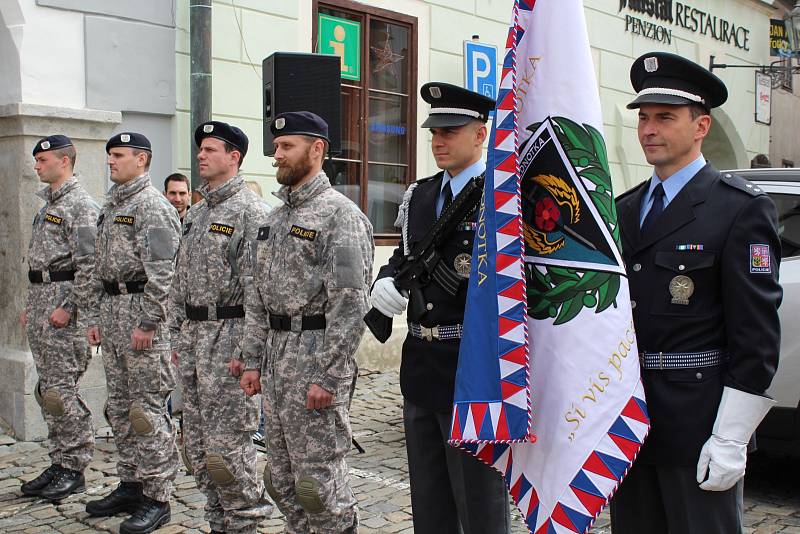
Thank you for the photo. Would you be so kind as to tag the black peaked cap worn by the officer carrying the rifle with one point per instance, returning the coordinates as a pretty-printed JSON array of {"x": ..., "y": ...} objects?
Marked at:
[{"x": 453, "y": 106}]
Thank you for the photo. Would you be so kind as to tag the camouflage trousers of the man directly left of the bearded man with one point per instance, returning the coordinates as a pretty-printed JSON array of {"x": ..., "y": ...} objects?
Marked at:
[{"x": 218, "y": 422}]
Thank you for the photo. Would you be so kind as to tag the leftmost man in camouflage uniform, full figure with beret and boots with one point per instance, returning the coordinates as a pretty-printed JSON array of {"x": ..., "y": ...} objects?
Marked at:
[{"x": 60, "y": 259}]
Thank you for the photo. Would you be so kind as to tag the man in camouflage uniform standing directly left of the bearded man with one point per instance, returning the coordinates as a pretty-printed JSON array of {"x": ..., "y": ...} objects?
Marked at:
[{"x": 207, "y": 324}]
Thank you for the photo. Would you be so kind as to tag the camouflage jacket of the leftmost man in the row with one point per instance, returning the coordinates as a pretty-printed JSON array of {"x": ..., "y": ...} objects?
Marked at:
[{"x": 63, "y": 239}]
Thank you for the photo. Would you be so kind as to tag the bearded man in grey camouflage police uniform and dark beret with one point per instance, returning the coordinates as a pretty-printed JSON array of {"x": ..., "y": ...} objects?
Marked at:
[{"x": 312, "y": 267}]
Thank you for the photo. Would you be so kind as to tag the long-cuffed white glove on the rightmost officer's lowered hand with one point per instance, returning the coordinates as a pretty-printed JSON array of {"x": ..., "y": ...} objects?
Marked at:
[{"x": 724, "y": 455}]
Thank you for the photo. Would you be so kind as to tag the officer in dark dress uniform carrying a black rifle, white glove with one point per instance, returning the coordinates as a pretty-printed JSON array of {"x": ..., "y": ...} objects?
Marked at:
[{"x": 448, "y": 486}]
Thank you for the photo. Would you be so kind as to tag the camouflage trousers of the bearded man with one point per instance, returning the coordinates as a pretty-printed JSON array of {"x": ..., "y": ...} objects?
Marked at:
[{"x": 307, "y": 475}]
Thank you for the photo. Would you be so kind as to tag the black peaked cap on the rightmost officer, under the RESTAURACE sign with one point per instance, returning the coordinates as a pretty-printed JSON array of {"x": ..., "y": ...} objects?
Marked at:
[{"x": 664, "y": 78}]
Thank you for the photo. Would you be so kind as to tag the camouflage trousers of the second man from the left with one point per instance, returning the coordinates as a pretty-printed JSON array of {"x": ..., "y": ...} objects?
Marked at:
[{"x": 138, "y": 384}]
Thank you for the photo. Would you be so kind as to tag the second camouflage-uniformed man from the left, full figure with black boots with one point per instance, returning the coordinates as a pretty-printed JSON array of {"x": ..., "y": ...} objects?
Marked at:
[{"x": 137, "y": 236}]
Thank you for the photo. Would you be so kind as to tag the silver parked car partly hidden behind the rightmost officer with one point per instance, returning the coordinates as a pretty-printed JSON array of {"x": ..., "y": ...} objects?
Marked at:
[{"x": 780, "y": 430}]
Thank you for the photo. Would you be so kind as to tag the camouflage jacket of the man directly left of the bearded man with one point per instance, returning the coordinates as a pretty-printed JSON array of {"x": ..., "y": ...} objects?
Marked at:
[{"x": 213, "y": 262}]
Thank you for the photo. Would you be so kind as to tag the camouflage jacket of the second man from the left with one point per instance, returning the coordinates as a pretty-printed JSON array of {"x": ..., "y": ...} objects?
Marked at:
[{"x": 137, "y": 236}]
